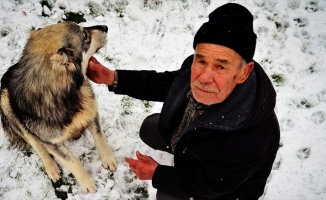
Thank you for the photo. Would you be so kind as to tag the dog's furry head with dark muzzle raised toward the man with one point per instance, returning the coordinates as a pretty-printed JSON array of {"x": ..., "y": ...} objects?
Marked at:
[{"x": 65, "y": 46}]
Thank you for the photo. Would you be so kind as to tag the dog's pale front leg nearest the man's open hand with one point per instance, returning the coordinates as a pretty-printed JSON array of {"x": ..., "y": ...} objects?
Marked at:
[{"x": 107, "y": 156}]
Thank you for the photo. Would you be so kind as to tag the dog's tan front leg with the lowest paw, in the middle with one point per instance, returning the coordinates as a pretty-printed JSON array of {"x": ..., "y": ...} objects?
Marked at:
[{"x": 69, "y": 161}]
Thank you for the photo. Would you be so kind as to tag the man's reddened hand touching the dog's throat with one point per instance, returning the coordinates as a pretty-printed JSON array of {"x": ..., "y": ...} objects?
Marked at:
[{"x": 99, "y": 73}]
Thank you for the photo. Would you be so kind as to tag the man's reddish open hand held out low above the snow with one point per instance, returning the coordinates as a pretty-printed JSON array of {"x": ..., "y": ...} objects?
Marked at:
[{"x": 144, "y": 167}]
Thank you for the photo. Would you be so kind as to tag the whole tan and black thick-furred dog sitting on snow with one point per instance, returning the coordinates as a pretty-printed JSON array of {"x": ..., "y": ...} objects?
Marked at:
[{"x": 47, "y": 99}]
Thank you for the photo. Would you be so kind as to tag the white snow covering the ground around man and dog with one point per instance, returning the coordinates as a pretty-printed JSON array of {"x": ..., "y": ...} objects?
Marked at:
[{"x": 291, "y": 47}]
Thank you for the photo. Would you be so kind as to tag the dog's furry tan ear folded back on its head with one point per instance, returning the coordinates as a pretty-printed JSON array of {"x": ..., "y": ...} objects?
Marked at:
[{"x": 62, "y": 59}]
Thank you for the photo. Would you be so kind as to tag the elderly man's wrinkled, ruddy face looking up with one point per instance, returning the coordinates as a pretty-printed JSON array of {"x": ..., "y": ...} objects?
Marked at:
[{"x": 215, "y": 72}]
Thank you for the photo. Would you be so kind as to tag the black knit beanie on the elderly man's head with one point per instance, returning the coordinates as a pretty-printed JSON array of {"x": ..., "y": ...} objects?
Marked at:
[{"x": 230, "y": 25}]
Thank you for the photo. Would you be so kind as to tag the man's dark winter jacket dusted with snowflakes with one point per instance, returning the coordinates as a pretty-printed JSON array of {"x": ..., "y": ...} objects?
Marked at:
[{"x": 213, "y": 160}]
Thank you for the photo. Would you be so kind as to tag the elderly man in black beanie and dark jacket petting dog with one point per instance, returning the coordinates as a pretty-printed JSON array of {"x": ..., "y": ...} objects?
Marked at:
[{"x": 217, "y": 119}]
